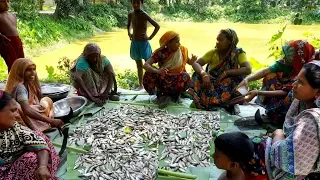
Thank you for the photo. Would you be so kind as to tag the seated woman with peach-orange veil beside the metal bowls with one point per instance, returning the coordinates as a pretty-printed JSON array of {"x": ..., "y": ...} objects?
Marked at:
[{"x": 24, "y": 86}]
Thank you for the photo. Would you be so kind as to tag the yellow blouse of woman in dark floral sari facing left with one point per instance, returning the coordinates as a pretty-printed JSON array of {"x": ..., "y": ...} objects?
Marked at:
[{"x": 212, "y": 58}]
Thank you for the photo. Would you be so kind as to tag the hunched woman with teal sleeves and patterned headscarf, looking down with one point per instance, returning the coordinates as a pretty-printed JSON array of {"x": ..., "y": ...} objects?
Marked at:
[{"x": 93, "y": 75}]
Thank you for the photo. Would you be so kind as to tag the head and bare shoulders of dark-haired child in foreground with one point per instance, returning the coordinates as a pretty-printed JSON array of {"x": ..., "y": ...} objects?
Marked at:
[{"x": 232, "y": 151}]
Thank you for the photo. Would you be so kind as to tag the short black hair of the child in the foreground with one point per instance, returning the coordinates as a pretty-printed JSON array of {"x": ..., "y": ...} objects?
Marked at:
[{"x": 236, "y": 145}]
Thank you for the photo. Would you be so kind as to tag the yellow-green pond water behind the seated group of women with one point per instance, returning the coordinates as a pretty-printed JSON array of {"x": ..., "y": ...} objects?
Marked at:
[{"x": 197, "y": 37}]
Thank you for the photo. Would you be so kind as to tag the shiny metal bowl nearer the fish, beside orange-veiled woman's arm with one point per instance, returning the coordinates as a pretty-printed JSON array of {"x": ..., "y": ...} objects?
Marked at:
[{"x": 62, "y": 107}]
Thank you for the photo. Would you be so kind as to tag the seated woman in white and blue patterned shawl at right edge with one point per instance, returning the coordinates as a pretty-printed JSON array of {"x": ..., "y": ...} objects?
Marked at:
[{"x": 293, "y": 153}]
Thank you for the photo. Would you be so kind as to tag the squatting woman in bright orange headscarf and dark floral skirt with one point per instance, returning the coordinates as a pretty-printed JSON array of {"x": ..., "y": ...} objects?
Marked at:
[{"x": 170, "y": 79}]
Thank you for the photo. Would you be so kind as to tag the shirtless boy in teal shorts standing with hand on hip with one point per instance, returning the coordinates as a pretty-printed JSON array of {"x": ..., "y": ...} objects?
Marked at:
[{"x": 140, "y": 46}]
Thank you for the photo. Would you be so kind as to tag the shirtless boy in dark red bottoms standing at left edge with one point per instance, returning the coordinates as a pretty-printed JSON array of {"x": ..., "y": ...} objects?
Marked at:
[{"x": 10, "y": 44}]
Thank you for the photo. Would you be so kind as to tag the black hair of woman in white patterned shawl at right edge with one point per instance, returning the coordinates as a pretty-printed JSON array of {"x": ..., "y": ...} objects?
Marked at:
[{"x": 312, "y": 73}]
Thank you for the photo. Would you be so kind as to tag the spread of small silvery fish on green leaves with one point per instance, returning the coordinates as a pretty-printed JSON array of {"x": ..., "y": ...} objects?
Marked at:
[{"x": 124, "y": 142}]
